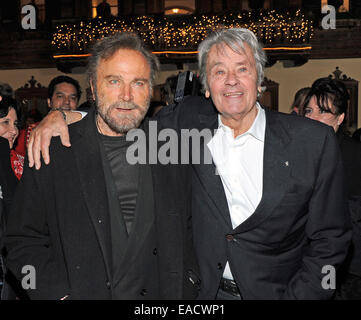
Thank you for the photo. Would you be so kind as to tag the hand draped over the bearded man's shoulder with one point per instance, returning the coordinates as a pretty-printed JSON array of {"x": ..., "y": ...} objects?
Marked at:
[{"x": 52, "y": 125}]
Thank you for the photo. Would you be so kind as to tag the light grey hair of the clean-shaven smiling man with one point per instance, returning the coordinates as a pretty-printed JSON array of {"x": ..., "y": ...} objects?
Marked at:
[{"x": 235, "y": 39}]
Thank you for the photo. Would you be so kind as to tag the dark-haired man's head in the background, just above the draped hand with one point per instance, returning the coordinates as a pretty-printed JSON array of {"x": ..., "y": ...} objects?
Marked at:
[{"x": 63, "y": 93}]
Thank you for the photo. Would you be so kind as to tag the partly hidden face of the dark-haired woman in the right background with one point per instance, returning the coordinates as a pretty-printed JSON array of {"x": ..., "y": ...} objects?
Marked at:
[{"x": 313, "y": 111}]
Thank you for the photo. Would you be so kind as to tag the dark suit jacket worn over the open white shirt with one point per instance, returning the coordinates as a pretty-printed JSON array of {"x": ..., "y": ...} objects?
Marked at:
[{"x": 301, "y": 224}]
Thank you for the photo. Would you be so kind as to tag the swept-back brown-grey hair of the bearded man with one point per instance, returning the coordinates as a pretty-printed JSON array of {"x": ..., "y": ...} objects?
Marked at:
[{"x": 106, "y": 47}]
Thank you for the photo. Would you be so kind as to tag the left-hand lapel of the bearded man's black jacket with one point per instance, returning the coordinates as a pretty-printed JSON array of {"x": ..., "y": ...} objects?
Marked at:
[{"x": 89, "y": 164}]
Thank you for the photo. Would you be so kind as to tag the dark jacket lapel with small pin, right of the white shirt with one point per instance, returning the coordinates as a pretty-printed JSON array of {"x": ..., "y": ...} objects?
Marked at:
[{"x": 276, "y": 171}]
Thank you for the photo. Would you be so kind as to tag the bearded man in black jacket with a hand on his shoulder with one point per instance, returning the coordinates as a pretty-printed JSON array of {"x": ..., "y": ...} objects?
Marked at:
[{"x": 92, "y": 225}]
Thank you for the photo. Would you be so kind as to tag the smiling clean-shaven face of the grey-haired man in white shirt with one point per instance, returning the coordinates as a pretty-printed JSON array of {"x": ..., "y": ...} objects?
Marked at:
[{"x": 232, "y": 81}]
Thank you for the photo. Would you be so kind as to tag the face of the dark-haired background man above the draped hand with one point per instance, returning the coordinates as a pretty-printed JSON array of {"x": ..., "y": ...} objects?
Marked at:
[{"x": 64, "y": 97}]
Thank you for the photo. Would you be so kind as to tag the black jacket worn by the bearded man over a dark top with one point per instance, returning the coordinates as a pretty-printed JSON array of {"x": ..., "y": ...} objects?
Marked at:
[{"x": 60, "y": 224}]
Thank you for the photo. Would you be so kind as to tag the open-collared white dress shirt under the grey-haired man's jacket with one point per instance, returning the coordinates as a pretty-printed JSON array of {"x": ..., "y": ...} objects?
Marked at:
[{"x": 239, "y": 162}]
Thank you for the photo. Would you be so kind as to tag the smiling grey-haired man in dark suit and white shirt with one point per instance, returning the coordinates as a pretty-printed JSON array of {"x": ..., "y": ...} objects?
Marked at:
[{"x": 270, "y": 211}]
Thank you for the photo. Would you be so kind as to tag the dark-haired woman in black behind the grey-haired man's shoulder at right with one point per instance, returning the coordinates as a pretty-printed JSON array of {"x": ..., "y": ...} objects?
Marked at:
[{"x": 327, "y": 102}]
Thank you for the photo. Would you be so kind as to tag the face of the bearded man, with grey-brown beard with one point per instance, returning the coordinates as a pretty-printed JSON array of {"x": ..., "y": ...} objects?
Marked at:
[{"x": 122, "y": 92}]
